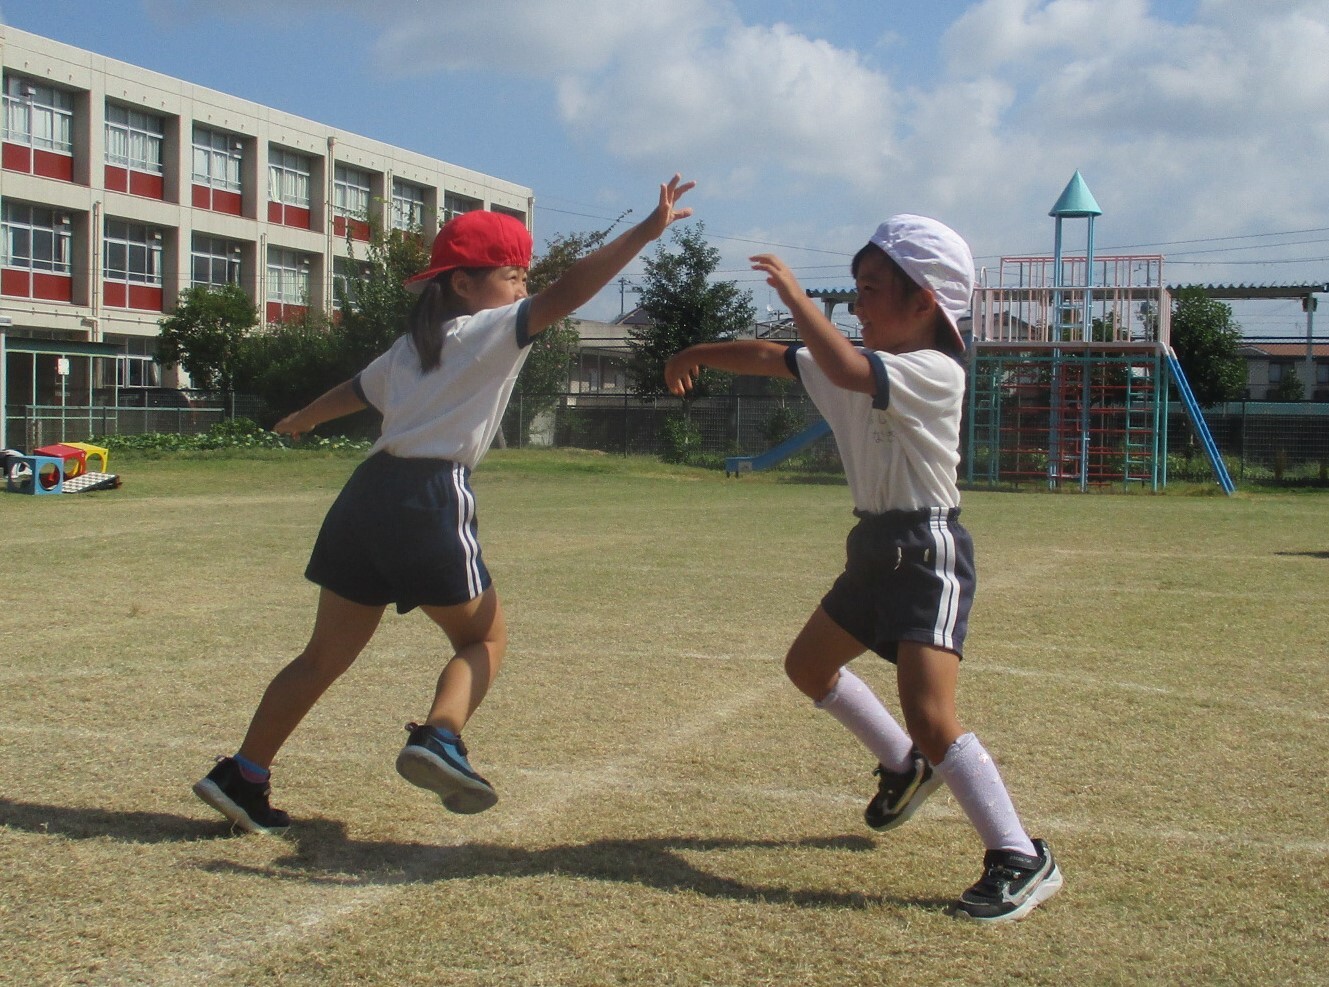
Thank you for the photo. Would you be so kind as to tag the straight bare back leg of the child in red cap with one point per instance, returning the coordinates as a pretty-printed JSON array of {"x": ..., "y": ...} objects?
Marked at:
[{"x": 341, "y": 632}]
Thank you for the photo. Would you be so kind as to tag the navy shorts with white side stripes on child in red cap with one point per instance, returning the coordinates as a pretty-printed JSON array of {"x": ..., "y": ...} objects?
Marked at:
[{"x": 402, "y": 532}]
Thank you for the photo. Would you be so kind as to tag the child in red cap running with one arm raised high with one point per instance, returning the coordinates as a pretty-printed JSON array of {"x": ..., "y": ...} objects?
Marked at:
[{"x": 403, "y": 531}]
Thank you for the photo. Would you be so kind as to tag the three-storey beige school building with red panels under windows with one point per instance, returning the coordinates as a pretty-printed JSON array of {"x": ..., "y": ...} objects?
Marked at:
[{"x": 122, "y": 188}]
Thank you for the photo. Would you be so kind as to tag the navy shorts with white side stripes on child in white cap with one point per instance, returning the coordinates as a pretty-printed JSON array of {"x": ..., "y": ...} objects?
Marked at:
[{"x": 908, "y": 576}]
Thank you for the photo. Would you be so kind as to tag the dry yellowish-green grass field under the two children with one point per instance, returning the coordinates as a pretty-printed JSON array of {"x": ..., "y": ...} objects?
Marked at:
[{"x": 1149, "y": 672}]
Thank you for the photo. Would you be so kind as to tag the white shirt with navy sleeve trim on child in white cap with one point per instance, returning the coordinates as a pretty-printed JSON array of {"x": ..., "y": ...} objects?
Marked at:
[{"x": 902, "y": 447}]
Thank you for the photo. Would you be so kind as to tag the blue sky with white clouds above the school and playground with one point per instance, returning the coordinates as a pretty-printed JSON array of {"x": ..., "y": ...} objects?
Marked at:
[{"x": 1201, "y": 127}]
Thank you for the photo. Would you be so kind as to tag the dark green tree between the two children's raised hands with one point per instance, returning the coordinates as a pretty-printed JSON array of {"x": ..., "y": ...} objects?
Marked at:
[{"x": 685, "y": 308}]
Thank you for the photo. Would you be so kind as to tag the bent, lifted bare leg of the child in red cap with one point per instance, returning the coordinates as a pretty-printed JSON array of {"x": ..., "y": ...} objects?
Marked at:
[{"x": 479, "y": 636}]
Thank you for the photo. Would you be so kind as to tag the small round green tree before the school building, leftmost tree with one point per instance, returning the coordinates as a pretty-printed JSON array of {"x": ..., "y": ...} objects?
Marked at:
[{"x": 205, "y": 334}]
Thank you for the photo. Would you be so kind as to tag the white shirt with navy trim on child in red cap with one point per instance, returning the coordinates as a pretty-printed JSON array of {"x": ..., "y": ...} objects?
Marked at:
[{"x": 454, "y": 411}]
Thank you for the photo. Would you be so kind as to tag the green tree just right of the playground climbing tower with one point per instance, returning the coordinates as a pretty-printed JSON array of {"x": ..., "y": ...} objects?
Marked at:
[{"x": 1207, "y": 345}]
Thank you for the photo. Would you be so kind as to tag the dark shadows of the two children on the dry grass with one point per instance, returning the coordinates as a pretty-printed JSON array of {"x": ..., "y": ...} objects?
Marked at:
[{"x": 322, "y": 853}]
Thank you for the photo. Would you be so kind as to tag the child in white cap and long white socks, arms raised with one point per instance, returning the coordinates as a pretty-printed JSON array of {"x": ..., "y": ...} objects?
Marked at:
[{"x": 895, "y": 406}]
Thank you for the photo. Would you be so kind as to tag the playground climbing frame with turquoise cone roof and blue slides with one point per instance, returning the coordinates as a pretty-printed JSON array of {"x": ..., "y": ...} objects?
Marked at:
[{"x": 1072, "y": 371}]
